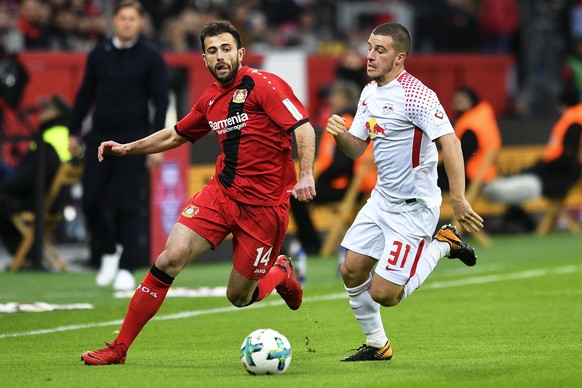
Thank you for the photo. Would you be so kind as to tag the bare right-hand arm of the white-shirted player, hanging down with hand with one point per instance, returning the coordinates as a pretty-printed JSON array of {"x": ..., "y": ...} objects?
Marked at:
[{"x": 454, "y": 165}]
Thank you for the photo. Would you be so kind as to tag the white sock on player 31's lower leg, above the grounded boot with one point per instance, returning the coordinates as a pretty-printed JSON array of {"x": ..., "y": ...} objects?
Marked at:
[{"x": 367, "y": 313}]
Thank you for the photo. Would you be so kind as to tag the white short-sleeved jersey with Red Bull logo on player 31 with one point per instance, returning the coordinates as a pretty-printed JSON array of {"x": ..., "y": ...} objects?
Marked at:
[{"x": 402, "y": 119}]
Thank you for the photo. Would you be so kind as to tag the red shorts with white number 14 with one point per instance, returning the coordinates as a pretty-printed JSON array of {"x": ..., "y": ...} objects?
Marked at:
[{"x": 258, "y": 231}]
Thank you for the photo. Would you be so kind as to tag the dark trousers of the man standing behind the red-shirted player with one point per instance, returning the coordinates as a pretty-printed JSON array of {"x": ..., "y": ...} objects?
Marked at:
[{"x": 112, "y": 203}]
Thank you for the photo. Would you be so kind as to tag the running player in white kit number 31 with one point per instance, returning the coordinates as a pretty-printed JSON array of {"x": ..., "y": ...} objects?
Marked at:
[{"x": 403, "y": 119}]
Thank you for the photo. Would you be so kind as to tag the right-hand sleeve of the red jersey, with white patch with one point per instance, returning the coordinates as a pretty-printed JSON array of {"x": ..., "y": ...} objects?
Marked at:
[{"x": 279, "y": 102}]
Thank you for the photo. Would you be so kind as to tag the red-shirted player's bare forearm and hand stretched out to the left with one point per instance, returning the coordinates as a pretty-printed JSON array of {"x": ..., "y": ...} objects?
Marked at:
[{"x": 162, "y": 140}]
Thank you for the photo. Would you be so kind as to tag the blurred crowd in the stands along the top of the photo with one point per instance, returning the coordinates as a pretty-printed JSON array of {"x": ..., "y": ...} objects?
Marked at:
[{"x": 540, "y": 34}]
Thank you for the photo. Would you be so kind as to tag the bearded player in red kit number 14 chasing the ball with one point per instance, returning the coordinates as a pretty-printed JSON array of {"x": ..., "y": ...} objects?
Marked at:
[{"x": 253, "y": 114}]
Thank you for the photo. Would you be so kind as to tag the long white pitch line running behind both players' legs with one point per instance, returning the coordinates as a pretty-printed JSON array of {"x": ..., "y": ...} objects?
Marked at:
[{"x": 433, "y": 285}]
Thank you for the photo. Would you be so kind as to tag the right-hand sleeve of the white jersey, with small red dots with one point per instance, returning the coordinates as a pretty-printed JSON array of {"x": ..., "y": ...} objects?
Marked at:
[{"x": 426, "y": 112}]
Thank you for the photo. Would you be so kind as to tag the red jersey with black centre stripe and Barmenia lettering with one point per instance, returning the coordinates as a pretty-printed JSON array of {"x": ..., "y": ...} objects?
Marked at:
[{"x": 253, "y": 117}]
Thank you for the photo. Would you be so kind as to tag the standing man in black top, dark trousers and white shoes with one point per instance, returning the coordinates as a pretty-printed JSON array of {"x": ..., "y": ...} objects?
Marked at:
[{"x": 122, "y": 76}]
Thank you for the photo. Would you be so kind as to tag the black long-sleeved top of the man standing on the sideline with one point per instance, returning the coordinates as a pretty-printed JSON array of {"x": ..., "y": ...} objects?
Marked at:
[{"x": 118, "y": 84}]
